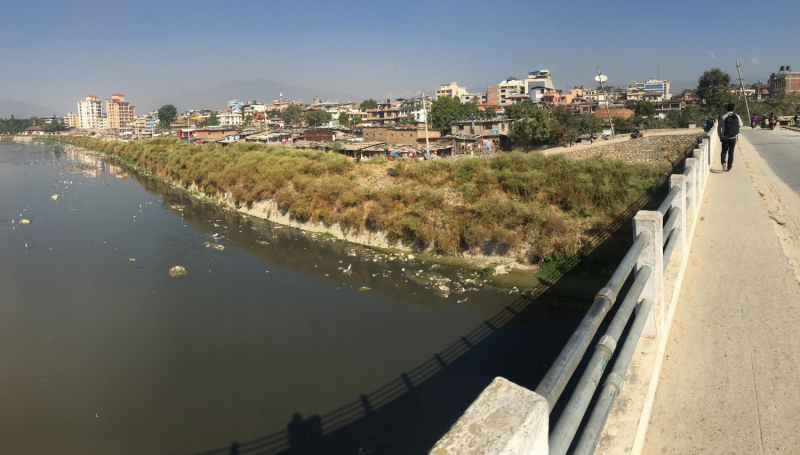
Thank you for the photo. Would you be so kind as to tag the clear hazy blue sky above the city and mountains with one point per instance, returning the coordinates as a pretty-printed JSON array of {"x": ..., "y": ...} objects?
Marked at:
[{"x": 55, "y": 53}]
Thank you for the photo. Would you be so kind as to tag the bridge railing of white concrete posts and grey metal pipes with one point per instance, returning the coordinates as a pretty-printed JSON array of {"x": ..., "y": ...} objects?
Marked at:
[{"x": 658, "y": 236}]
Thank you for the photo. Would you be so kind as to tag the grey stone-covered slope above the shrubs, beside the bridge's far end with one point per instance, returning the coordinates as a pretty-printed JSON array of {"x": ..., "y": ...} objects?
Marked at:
[{"x": 651, "y": 149}]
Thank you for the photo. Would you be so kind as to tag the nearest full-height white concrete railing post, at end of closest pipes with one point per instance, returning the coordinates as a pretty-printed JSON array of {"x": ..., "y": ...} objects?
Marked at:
[{"x": 652, "y": 256}]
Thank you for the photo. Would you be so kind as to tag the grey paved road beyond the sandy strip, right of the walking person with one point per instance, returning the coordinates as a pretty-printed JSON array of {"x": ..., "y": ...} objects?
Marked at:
[{"x": 781, "y": 150}]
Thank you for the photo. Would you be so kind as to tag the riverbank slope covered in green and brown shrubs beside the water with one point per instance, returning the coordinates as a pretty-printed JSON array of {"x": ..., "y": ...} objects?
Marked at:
[{"x": 511, "y": 207}]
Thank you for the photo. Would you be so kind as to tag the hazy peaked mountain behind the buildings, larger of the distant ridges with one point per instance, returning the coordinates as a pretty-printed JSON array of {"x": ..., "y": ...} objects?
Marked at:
[{"x": 261, "y": 90}]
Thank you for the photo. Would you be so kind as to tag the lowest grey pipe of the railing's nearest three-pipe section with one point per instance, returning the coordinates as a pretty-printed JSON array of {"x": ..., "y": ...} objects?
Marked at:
[{"x": 587, "y": 442}]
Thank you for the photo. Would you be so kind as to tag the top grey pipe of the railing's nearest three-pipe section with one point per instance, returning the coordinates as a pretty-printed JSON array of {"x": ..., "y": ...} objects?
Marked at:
[{"x": 556, "y": 378}]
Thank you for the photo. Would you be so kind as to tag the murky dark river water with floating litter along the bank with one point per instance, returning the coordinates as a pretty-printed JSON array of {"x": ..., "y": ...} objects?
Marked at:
[{"x": 136, "y": 318}]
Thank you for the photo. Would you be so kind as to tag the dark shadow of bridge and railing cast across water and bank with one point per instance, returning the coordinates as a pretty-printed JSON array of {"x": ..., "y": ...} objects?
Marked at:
[{"x": 358, "y": 427}]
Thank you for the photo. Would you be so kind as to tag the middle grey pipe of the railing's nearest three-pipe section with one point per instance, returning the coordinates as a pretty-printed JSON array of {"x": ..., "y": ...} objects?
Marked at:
[{"x": 570, "y": 419}]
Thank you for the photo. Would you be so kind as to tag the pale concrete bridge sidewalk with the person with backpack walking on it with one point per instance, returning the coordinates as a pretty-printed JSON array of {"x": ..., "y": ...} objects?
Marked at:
[{"x": 730, "y": 381}]
